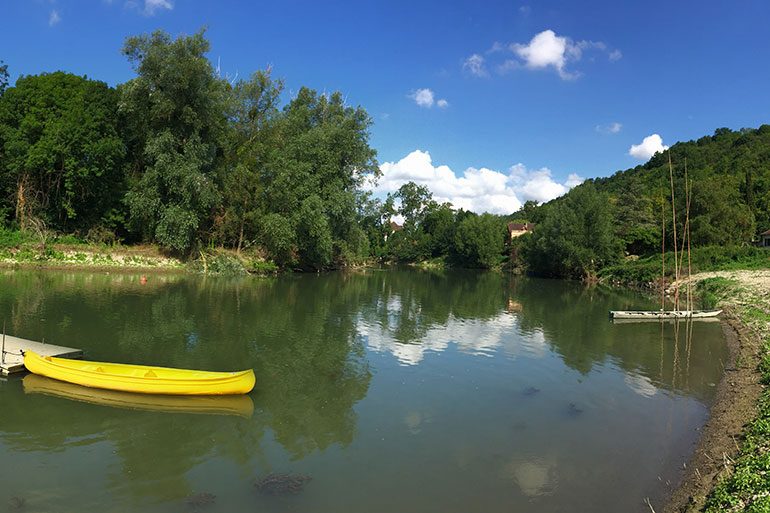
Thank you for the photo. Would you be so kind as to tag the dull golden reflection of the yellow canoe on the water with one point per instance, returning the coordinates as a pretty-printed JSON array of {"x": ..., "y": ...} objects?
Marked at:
[{"x": 240, "y": 405}]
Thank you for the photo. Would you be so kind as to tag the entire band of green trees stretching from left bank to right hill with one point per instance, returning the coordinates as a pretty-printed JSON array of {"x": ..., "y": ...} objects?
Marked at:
[{"x": 187, "y": 160}]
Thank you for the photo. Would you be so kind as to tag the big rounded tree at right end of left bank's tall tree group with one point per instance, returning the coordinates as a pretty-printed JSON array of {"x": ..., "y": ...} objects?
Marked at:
[{"x": 321, "y": 159}]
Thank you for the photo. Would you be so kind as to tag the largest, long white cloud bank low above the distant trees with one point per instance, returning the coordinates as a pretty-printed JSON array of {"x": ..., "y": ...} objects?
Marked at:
[{"x": 478, "y": 189}]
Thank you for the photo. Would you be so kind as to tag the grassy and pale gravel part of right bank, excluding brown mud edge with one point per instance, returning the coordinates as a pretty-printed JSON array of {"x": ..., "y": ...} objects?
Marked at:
[{"x": 744, "y": 482}]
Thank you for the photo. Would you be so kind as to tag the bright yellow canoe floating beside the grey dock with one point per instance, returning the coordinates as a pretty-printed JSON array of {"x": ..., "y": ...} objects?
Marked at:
[{"x": 141, "y": 379}]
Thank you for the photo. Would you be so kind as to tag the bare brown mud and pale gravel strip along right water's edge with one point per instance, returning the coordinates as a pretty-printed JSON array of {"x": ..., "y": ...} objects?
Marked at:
[{"x": 737, "y": 394}]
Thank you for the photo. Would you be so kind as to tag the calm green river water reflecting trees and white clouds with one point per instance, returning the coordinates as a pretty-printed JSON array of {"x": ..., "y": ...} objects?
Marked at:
[{"x": 394, "y": 390}]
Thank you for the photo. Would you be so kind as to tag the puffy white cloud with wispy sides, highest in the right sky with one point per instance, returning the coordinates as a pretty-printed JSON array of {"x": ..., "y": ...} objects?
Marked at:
[{"x": 545, "y": 50}]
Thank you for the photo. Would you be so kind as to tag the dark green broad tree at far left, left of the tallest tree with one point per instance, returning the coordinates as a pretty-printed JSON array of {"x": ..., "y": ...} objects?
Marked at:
[{"x": 62, "y": 154}]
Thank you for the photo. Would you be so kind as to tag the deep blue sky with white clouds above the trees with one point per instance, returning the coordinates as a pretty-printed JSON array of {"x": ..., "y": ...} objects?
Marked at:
[{"x": 538, "y": 93}]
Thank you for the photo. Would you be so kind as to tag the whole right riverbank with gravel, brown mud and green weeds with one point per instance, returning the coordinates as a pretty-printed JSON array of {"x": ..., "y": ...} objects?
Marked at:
[{"x": 729, "y": 468}]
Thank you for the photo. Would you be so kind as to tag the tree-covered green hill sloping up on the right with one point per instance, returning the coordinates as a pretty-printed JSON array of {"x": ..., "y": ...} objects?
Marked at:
[{"x": 602, "y": 220}]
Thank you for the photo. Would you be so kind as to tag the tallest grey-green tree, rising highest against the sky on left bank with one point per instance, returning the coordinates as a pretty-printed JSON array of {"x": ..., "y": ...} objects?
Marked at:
[{"x": 175, "y": 118}]
